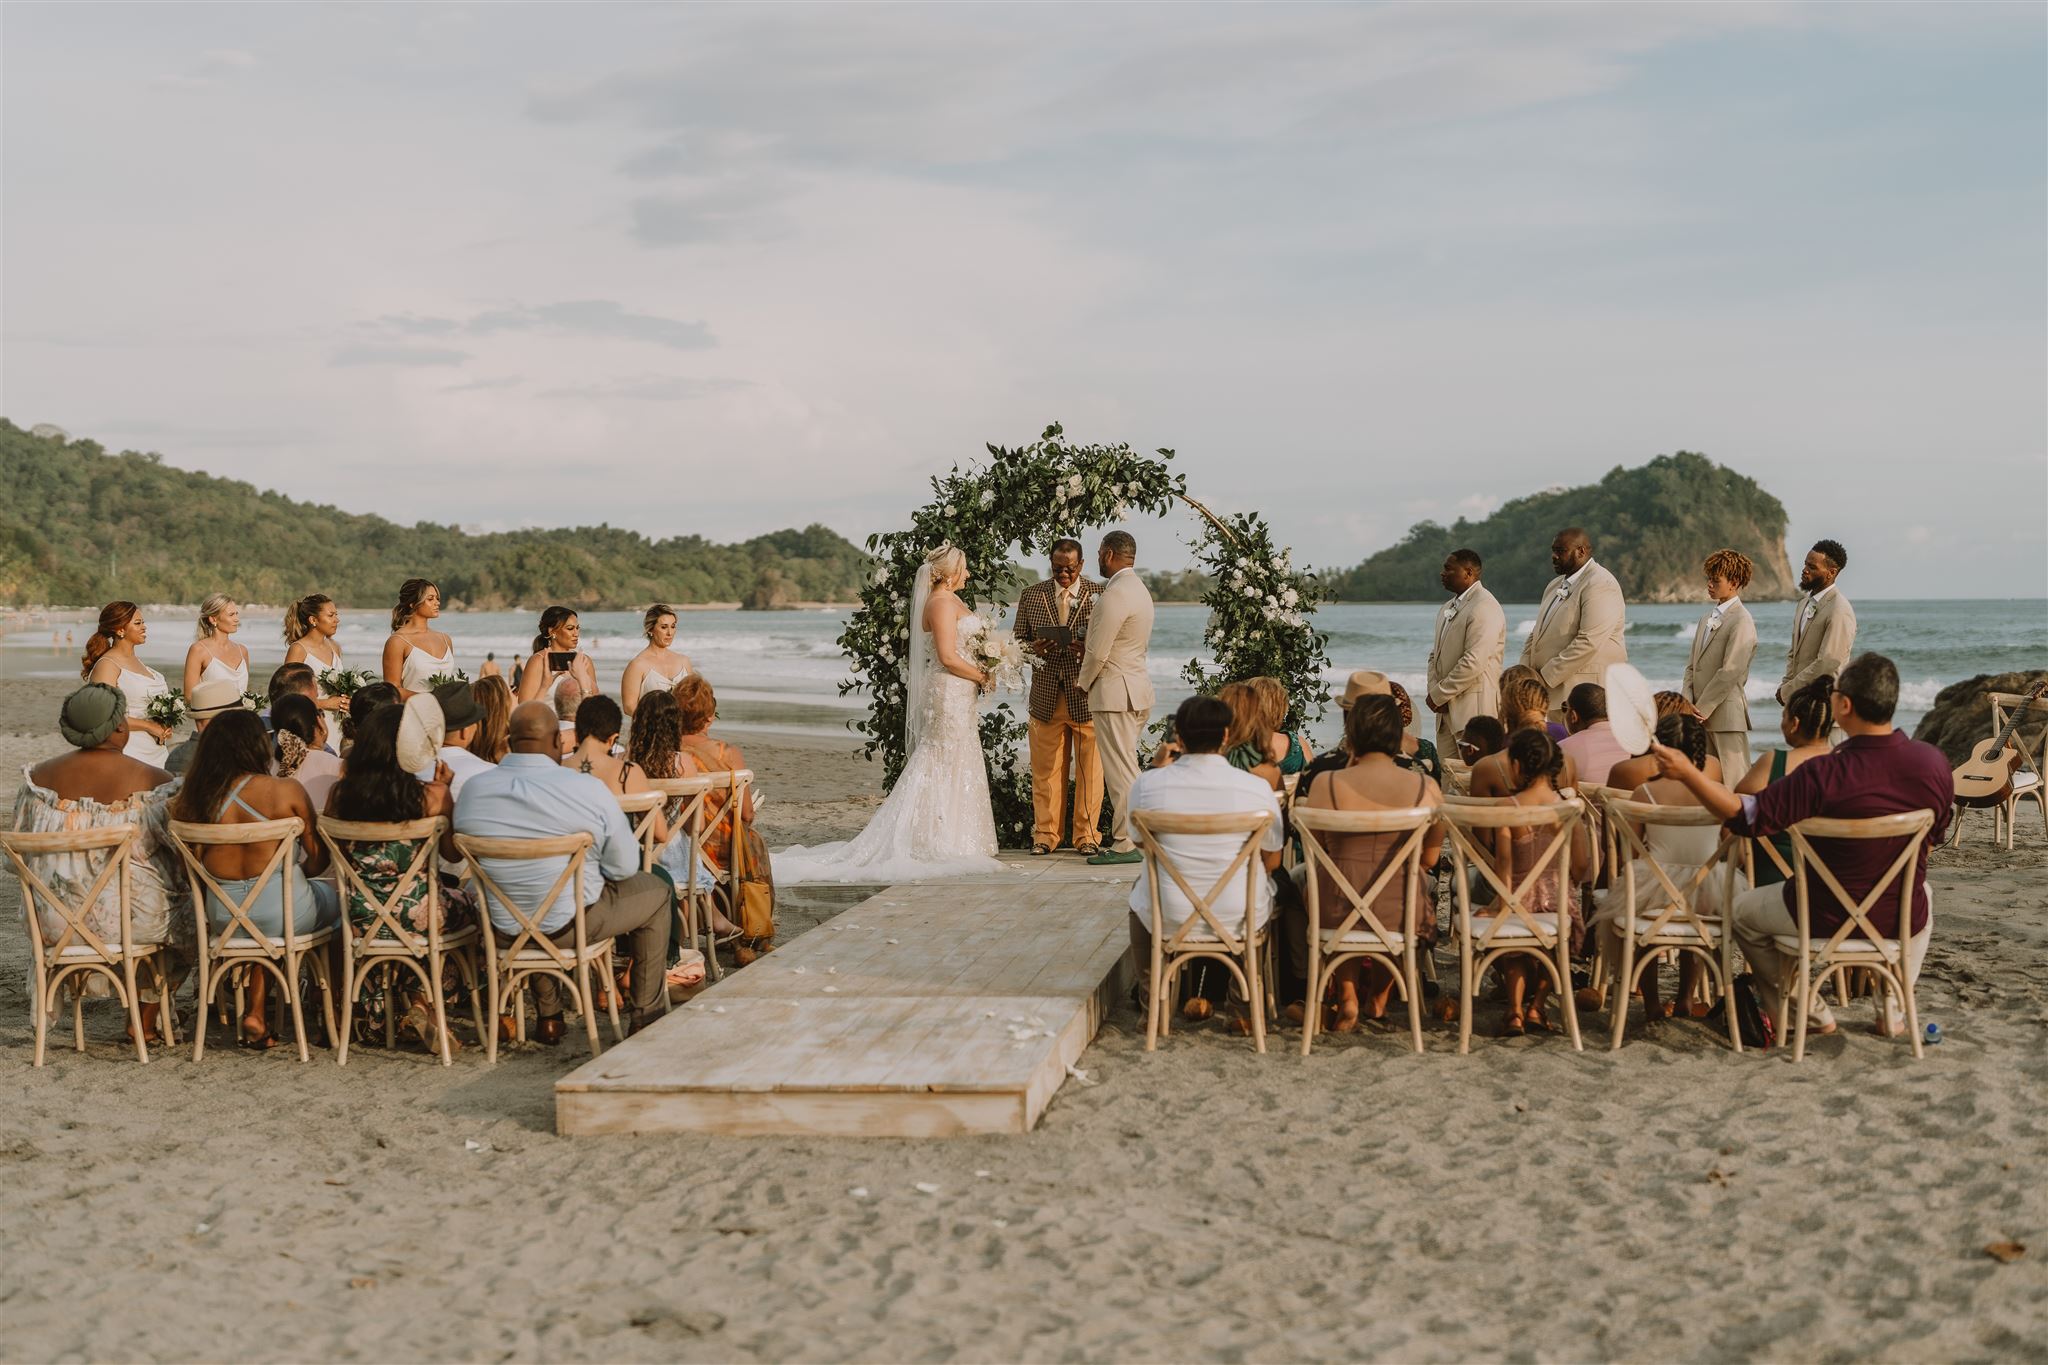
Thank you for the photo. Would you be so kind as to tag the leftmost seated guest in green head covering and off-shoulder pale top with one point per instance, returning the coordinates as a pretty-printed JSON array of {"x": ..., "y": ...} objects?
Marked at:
[{"x": 99, "y": 787}]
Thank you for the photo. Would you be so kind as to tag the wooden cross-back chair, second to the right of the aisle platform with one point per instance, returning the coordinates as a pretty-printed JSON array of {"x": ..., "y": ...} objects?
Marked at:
[{"x": 1361, "y": 934}]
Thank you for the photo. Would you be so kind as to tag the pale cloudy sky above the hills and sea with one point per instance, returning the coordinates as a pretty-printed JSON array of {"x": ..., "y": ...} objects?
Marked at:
[{"x": 718, "y": 271}]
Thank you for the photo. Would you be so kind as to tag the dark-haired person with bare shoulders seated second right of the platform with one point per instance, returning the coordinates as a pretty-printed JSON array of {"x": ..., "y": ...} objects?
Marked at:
[{"x": 1375, "y": 781}]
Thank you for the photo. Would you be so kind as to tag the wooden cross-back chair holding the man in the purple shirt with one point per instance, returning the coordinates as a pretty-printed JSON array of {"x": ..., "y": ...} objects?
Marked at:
[{"x": 1857, "y": 944}]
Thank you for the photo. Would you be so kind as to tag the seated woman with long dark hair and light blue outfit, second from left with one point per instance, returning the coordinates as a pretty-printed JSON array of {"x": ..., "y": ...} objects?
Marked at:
[{"x": 230, "y": 785}]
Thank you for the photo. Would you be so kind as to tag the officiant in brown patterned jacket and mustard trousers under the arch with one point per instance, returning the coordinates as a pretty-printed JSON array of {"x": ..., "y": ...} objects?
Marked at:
[{"x": 1052, "y": 625}]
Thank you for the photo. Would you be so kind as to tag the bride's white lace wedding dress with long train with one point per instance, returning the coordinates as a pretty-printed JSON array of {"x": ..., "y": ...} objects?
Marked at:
[{"x": 939, "y": 820}]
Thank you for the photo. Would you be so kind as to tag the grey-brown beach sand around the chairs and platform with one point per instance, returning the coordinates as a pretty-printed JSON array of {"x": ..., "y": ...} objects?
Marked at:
[{"x": 1201, "y": 1202}]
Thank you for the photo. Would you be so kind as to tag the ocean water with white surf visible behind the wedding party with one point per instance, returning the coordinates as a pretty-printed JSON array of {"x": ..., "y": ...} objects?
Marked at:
[{"x": 779, "y": 672}]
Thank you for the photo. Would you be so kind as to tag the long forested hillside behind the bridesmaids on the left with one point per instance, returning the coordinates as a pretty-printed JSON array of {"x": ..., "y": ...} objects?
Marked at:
[{"x": 81, "y": 527}]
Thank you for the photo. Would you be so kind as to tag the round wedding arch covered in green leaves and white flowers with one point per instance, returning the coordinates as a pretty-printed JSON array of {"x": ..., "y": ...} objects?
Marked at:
[{"x": 1029, "y": 498}]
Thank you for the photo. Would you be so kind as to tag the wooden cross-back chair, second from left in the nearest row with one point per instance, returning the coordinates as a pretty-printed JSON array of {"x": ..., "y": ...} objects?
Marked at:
[{"x": 241, "y": 944}]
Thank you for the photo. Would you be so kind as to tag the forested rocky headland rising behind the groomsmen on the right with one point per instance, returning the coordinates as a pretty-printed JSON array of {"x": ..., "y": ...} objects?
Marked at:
[{"x": 1652, "y": 527}]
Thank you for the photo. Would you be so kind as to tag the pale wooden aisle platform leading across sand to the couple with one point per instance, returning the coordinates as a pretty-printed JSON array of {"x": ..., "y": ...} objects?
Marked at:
[{"x": 927, "y": 1012}]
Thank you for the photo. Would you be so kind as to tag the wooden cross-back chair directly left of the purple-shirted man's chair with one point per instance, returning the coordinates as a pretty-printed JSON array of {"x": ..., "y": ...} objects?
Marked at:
[{"x": 1672, "y": 922}]
